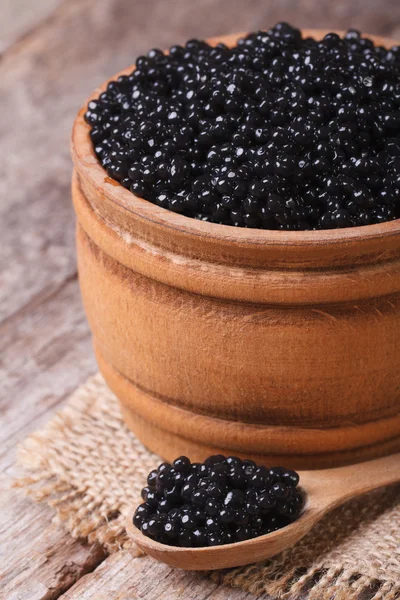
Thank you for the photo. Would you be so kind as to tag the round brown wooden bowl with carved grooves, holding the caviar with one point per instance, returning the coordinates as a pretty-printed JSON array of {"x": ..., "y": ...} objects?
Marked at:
[{"x": 280, "y": 346}]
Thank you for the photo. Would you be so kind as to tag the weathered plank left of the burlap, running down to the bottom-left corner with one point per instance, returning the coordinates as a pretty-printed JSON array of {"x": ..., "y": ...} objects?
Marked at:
[{"x": 45, "y": 354}]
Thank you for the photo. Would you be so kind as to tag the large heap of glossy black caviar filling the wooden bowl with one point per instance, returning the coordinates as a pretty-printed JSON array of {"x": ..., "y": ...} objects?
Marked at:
[{"x": 278, "y": 132}]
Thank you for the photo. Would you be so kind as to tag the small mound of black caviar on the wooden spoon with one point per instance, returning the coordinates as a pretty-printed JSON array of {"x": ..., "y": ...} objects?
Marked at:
[{"x": 220, "y": 501}]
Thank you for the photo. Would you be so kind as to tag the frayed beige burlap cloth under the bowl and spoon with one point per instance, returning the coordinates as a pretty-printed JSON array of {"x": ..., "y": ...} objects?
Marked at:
[{"x": 90, "y": 468}]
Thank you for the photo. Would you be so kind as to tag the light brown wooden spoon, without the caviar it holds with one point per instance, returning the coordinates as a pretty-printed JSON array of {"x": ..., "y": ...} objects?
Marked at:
[{"x": 324, "y": 491}]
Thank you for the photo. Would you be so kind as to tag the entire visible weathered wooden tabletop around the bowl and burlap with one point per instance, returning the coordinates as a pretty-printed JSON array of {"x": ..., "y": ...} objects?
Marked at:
[{"x": 54, "y": 52}]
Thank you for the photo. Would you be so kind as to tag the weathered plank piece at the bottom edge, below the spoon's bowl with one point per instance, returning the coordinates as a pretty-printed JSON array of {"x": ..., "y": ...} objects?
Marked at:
[{"x": 120, "y": 576}]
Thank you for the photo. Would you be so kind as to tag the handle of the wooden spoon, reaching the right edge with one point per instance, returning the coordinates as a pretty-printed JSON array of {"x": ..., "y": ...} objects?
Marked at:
[{"x": 331, "y": 487}]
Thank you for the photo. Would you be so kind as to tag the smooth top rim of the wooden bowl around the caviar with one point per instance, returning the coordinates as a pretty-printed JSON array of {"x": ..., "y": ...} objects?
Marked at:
[{"x": 83, "y": 155}]
